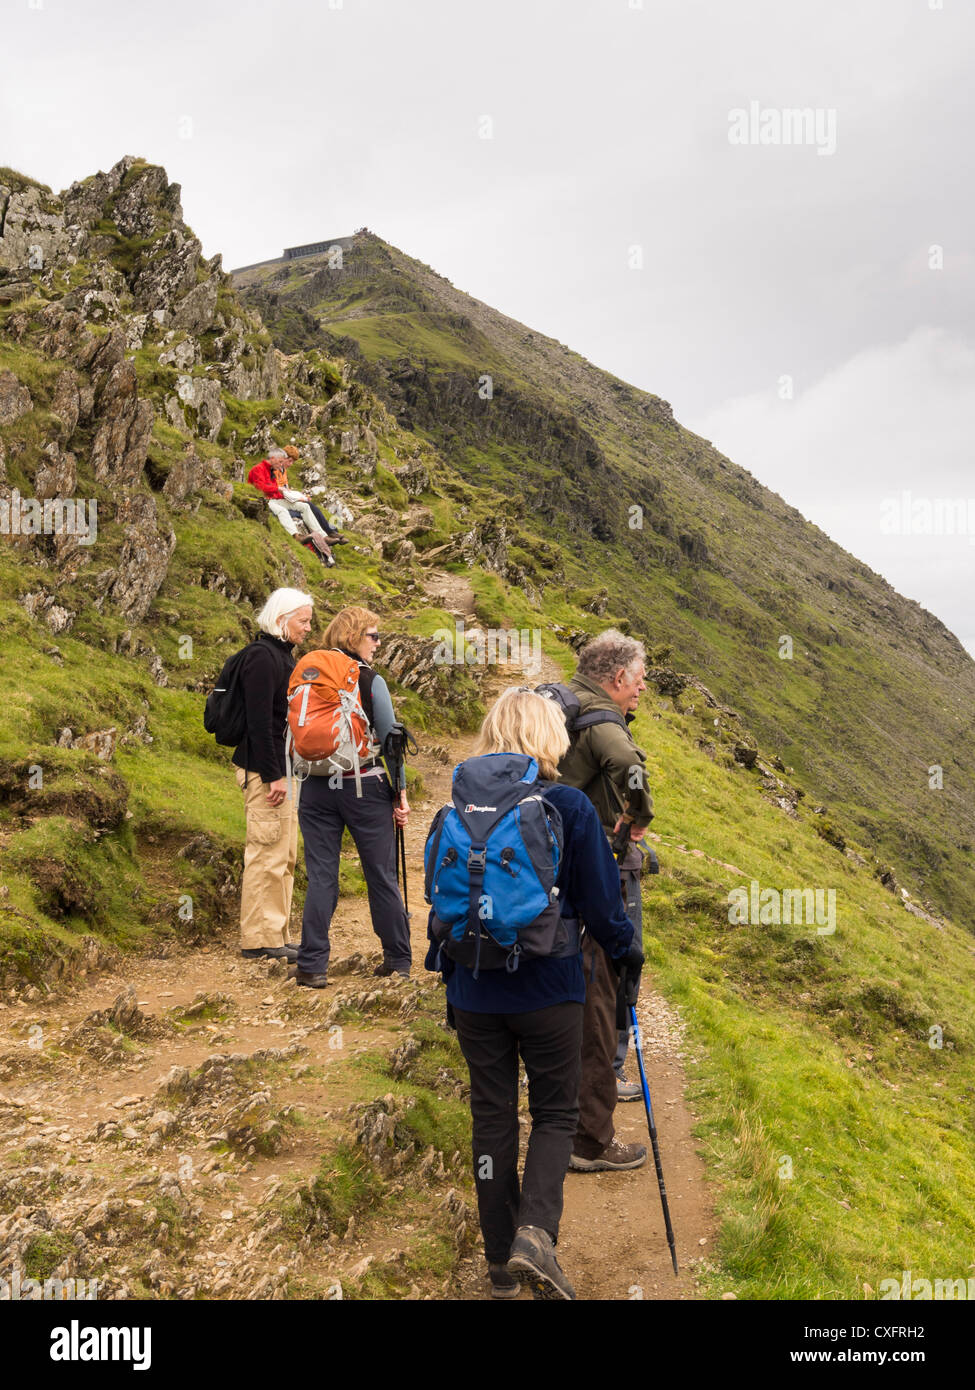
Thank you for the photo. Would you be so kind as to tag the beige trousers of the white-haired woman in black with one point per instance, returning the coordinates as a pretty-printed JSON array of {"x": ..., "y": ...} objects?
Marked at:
[{"x": 269, "y": 864}]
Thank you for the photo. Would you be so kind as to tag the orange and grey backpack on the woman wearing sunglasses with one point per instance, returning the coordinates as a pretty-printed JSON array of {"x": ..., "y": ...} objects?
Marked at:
[{"x": 326, "y": 719}]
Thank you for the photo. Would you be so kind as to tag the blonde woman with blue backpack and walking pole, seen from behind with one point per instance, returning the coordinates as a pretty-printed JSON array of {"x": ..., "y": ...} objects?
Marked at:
[{"x": 538, "y": 1008}]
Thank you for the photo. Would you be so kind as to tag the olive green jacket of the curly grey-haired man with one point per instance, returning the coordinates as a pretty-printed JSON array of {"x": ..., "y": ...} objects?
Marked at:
[{"x": 606, "y": 762}]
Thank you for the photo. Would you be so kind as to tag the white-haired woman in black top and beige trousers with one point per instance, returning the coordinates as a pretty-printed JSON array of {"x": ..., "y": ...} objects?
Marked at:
[{"x": 271, "y": 806}]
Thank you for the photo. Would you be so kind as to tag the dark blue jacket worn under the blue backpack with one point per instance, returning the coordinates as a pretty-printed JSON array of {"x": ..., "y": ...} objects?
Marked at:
[{"x": 589, "y": 883}]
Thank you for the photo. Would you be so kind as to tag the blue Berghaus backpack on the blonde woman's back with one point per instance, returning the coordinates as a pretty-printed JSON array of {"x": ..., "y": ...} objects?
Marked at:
[{"x": 492, "y": 865}]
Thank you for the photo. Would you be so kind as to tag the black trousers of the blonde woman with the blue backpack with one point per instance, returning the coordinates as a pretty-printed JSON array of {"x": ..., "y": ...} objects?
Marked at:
[{"x": 550, "y": 1043}]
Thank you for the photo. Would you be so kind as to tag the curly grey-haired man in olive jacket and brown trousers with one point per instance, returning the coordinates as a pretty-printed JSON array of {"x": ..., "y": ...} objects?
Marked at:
[{"x": 607, "y": 765}]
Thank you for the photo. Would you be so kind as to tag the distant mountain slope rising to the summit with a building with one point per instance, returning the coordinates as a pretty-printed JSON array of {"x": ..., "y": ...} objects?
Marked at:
[{"x": 863, "y": 692}]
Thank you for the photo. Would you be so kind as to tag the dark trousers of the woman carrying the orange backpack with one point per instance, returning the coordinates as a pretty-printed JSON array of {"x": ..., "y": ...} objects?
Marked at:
[{"x": 323, "y": 814}]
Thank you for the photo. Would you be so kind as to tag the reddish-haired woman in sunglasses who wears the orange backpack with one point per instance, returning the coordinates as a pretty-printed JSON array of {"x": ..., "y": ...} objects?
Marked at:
[{"x": 362, "y": 801}]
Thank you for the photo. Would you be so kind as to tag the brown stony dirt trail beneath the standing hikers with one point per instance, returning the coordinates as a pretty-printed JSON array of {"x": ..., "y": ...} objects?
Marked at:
[{"x": 163, "y": 1121}]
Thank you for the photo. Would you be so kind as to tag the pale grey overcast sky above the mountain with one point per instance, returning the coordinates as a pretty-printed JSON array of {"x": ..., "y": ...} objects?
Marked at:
[{"x": 806, "y": 304}]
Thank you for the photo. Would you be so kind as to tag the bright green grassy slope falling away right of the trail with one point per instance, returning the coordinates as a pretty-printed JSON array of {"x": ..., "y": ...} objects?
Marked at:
[{"x": 813, "y": 1052}]
